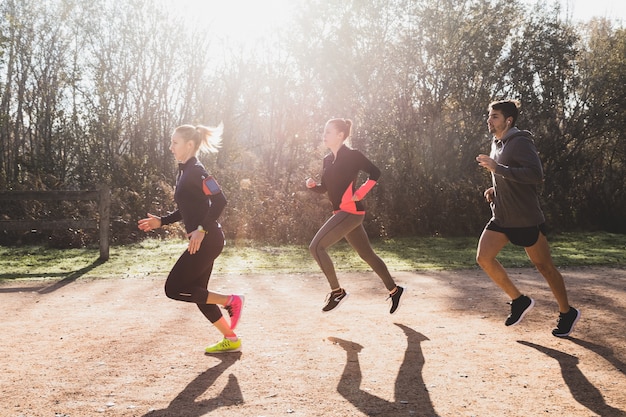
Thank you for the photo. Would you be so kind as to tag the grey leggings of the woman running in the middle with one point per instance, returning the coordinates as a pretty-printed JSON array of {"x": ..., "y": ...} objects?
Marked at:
[{"x": 350, "y": 226}]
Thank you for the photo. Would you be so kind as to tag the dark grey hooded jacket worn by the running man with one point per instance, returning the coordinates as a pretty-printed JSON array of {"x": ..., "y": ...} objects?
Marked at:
[{"x": 515, "y": 180}]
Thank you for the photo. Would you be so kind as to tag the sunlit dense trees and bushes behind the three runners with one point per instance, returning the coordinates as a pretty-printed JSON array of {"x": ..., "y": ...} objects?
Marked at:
[{"x": 90, "y": 92}]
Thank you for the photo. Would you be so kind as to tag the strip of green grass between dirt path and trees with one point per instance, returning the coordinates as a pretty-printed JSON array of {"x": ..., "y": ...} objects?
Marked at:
[{"x": 156, "y": 257}]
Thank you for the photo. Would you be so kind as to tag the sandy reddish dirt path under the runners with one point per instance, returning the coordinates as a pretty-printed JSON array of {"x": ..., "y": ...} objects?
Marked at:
[{"x": 119, "y": 347}]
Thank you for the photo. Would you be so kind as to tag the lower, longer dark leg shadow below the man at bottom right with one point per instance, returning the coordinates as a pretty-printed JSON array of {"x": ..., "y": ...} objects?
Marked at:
[{"x": 582, "y": 390}]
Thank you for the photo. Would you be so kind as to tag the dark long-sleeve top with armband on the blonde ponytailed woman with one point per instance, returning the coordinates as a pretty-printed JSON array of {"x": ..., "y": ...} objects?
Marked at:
[{"x": 195, "y": 208}]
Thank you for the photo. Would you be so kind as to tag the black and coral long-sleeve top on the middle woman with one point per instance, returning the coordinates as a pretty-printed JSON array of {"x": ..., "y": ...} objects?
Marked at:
[{"x": 340, "y": 175}]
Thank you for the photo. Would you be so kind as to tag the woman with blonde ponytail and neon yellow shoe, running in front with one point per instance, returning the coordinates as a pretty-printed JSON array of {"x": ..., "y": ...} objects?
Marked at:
[{"x": 200, "y": 202}]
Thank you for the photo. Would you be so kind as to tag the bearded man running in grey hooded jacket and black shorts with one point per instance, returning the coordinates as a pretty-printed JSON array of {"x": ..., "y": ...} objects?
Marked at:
[{"x": 517, "y": 216}]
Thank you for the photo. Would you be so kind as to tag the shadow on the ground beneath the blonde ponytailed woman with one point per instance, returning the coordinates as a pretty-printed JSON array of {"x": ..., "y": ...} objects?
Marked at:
[{"x": 185, "y": 403}]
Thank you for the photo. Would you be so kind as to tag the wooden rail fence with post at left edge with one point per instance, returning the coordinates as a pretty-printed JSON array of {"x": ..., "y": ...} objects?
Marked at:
[{"x": 103, "y": 196}]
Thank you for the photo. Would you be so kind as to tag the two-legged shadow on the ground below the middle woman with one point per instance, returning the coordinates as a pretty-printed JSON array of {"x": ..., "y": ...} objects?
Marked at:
[{"x": 409, "y": 391}]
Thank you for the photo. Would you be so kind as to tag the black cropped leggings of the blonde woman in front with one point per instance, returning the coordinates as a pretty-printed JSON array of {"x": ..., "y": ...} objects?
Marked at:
[{"x": 189, "y": 278}]
